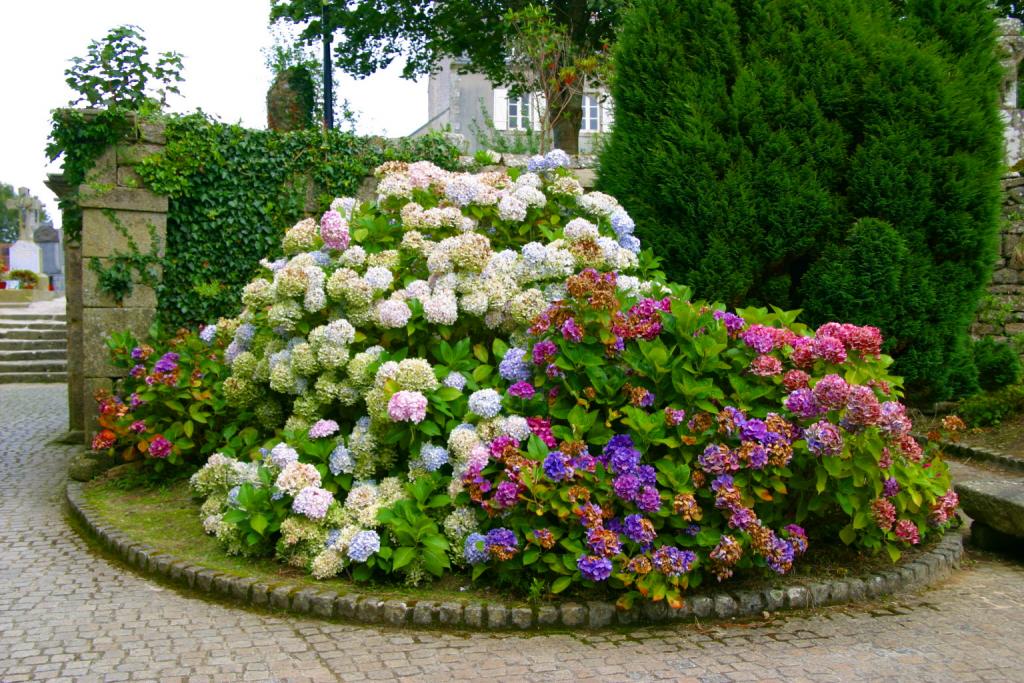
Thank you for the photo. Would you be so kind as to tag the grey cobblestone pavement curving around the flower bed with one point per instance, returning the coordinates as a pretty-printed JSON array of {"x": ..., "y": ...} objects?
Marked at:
[{"x": 68, "y": 615}]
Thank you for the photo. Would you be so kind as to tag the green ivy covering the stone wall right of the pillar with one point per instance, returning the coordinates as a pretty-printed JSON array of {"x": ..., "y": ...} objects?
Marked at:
[{"x": 234, "y": 191}]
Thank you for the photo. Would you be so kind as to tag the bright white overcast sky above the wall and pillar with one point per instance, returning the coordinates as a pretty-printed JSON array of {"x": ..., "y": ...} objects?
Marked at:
[{"x": 225, "y": 73}]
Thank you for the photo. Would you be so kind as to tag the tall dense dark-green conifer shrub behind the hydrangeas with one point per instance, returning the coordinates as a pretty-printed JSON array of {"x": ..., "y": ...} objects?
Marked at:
[{"x": 828, "y": 155}]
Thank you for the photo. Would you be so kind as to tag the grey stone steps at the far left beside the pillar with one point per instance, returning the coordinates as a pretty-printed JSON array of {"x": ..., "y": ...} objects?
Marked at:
[{"x": 33, "y": 347}]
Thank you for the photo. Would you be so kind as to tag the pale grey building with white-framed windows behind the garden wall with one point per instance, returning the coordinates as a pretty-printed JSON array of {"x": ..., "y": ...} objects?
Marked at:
[{"x": 470, "y": 105}]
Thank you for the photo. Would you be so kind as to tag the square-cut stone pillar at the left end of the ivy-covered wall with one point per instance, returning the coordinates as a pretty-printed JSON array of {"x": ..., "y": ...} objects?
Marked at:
[{"x": 113, "y": 196}]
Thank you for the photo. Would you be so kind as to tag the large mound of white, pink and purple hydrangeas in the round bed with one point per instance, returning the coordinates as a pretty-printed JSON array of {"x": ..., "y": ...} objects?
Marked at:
[{"x": 484, "y": 373}]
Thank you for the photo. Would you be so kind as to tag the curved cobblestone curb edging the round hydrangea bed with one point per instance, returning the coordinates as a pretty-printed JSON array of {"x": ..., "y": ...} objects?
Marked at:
[{"x": 474, "y": 615}]
